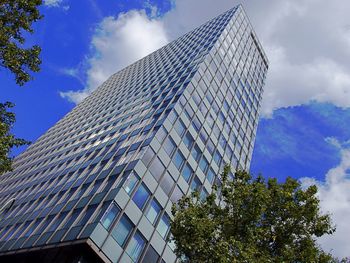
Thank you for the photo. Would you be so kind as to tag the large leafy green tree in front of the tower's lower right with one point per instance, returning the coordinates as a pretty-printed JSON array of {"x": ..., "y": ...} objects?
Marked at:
[{"x": 254, "y": 220}]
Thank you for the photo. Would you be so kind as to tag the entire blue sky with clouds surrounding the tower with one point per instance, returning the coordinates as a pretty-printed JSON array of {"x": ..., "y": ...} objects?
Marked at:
[{"x": 304, "y": 129}]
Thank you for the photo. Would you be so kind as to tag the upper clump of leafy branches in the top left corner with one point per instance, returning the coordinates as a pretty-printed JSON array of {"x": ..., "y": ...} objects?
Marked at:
[{"x": 16, "y": 17}]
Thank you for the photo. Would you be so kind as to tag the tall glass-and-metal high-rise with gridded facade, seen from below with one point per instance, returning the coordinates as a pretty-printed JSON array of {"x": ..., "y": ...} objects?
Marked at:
[{"x": 99, "y": 184}]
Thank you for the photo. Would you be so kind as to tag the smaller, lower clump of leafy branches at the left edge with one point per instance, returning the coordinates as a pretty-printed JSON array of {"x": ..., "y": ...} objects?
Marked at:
[{"x": 7, "y": 140}]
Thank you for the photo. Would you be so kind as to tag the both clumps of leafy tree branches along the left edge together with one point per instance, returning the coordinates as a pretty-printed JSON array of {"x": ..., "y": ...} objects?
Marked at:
[{"x": 16, "y": 18}]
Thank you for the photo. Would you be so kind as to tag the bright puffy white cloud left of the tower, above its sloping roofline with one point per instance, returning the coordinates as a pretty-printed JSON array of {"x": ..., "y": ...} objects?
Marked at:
[{"x": 118, "y": 42}]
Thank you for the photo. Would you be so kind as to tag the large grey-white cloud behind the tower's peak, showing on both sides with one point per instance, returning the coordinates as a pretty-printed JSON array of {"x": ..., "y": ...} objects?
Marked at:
[{"x": 307, "y": 43}]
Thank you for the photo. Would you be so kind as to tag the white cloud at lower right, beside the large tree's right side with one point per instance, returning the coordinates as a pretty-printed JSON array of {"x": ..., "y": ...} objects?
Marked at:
[{"x": 334, "y": 194}]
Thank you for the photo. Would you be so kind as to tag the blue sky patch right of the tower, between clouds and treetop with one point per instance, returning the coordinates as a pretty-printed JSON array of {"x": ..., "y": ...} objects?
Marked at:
[{"x": 278, "y": 151}]
